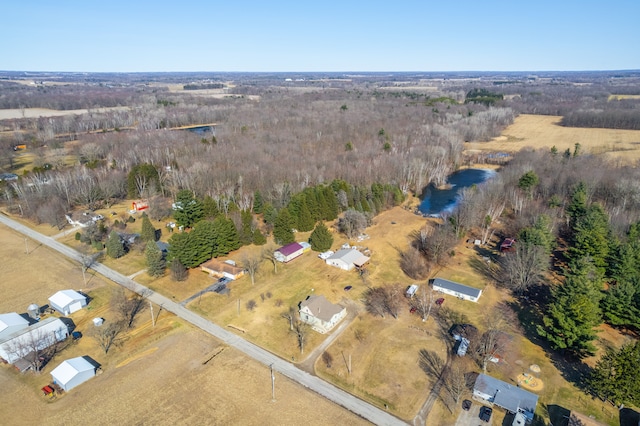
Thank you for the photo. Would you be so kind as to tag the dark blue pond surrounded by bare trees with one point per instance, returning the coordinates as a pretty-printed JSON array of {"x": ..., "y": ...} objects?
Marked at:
[{"x": 438, "y": 201}]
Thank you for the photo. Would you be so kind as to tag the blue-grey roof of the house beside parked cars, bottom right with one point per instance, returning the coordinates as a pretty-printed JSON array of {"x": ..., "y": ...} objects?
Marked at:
[{"x": 507, "y": 396}]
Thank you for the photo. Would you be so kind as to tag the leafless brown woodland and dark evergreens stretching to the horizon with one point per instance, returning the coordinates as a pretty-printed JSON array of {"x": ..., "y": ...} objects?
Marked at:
[{"x": 278, "y": 156}]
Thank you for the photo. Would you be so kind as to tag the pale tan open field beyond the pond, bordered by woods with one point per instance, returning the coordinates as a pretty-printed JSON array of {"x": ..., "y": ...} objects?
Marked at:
[{"x": 543, "y": 131}]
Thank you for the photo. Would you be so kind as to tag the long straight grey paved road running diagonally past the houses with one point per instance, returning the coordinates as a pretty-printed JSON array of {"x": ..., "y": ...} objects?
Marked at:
[{"x": 327, "y": 390}]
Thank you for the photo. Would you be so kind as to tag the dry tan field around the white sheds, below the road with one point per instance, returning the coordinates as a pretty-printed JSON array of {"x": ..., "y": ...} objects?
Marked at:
[{"x": 168, "y": 374}]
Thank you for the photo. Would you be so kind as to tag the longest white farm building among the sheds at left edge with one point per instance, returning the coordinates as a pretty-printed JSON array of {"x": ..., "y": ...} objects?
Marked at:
[{"x": 34, "y": 338}]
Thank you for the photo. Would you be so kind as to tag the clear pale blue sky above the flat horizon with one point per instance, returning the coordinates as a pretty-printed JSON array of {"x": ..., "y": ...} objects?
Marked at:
[{"x": 255, "y": 36}]
